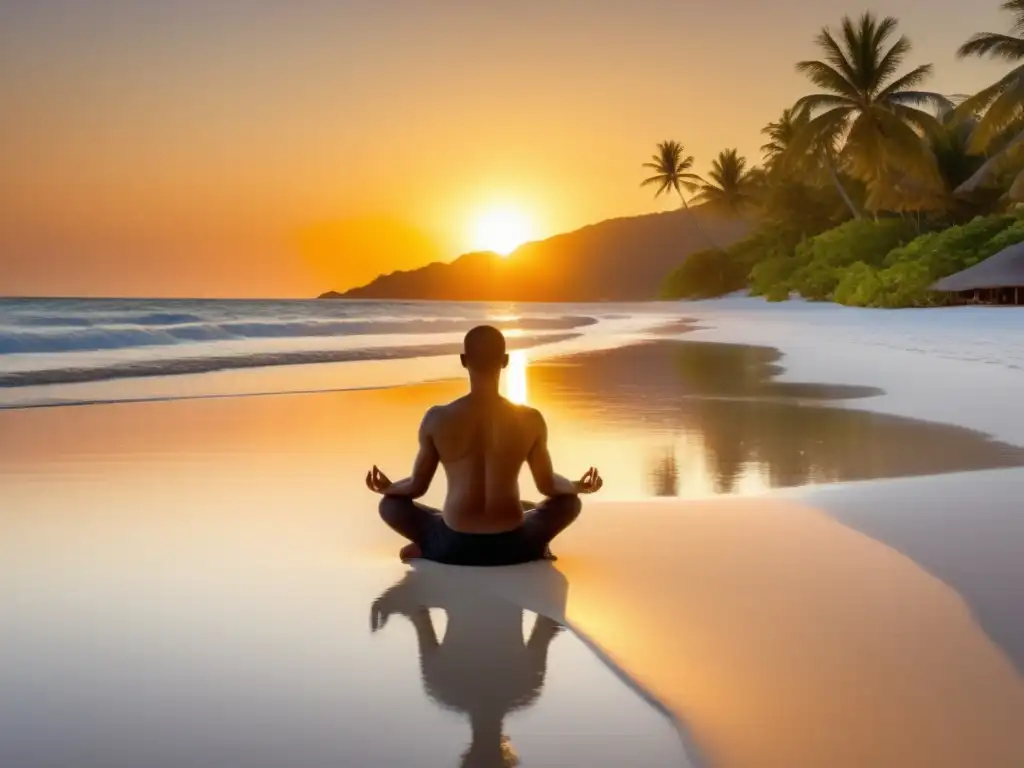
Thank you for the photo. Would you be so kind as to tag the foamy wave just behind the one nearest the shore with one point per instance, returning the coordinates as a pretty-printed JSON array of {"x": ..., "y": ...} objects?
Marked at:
[{"x": 45, "y": 339}]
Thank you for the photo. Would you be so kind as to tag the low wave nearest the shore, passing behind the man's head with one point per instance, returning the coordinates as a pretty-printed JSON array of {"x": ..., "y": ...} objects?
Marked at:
[{"x": 179, "y": 367}]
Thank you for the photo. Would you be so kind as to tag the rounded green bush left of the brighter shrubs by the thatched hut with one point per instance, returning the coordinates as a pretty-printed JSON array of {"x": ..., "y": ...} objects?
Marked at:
[{"x": 823, "y": 262}]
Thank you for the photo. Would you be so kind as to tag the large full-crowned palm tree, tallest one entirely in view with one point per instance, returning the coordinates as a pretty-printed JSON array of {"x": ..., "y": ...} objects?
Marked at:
[{"x": 865, "y": 101}]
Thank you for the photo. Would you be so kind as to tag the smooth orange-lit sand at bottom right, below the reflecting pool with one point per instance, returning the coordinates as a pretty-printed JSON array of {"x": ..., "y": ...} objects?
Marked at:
[{"x": 782, "y": 636}]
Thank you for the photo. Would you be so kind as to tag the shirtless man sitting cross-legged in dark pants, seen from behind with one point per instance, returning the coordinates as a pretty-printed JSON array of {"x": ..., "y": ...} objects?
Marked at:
[{"x": 483, "y": 441}]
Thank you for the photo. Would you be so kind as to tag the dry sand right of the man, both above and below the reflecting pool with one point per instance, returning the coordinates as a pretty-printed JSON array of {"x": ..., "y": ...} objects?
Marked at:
[{"x": 864, "y": 624}]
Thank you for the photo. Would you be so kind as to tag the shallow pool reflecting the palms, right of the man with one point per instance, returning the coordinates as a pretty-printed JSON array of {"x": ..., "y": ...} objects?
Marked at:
[{"x": 707, "y": 419}]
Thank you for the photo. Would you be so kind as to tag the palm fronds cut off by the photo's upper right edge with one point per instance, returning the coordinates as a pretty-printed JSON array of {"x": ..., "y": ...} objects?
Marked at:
[{"x": 1000, "y": 132}]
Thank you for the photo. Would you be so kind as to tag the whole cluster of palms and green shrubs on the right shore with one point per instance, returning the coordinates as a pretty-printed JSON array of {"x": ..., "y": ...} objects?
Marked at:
[{"x": 871, "y": 187}]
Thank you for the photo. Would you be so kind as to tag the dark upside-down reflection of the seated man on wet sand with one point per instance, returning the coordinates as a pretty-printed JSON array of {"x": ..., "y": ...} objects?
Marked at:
[{"x": 484, "y": 668}]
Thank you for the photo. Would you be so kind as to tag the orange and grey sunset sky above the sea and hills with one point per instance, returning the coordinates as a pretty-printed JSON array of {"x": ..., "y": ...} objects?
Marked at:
[{"x": 249, "y": 148}]
